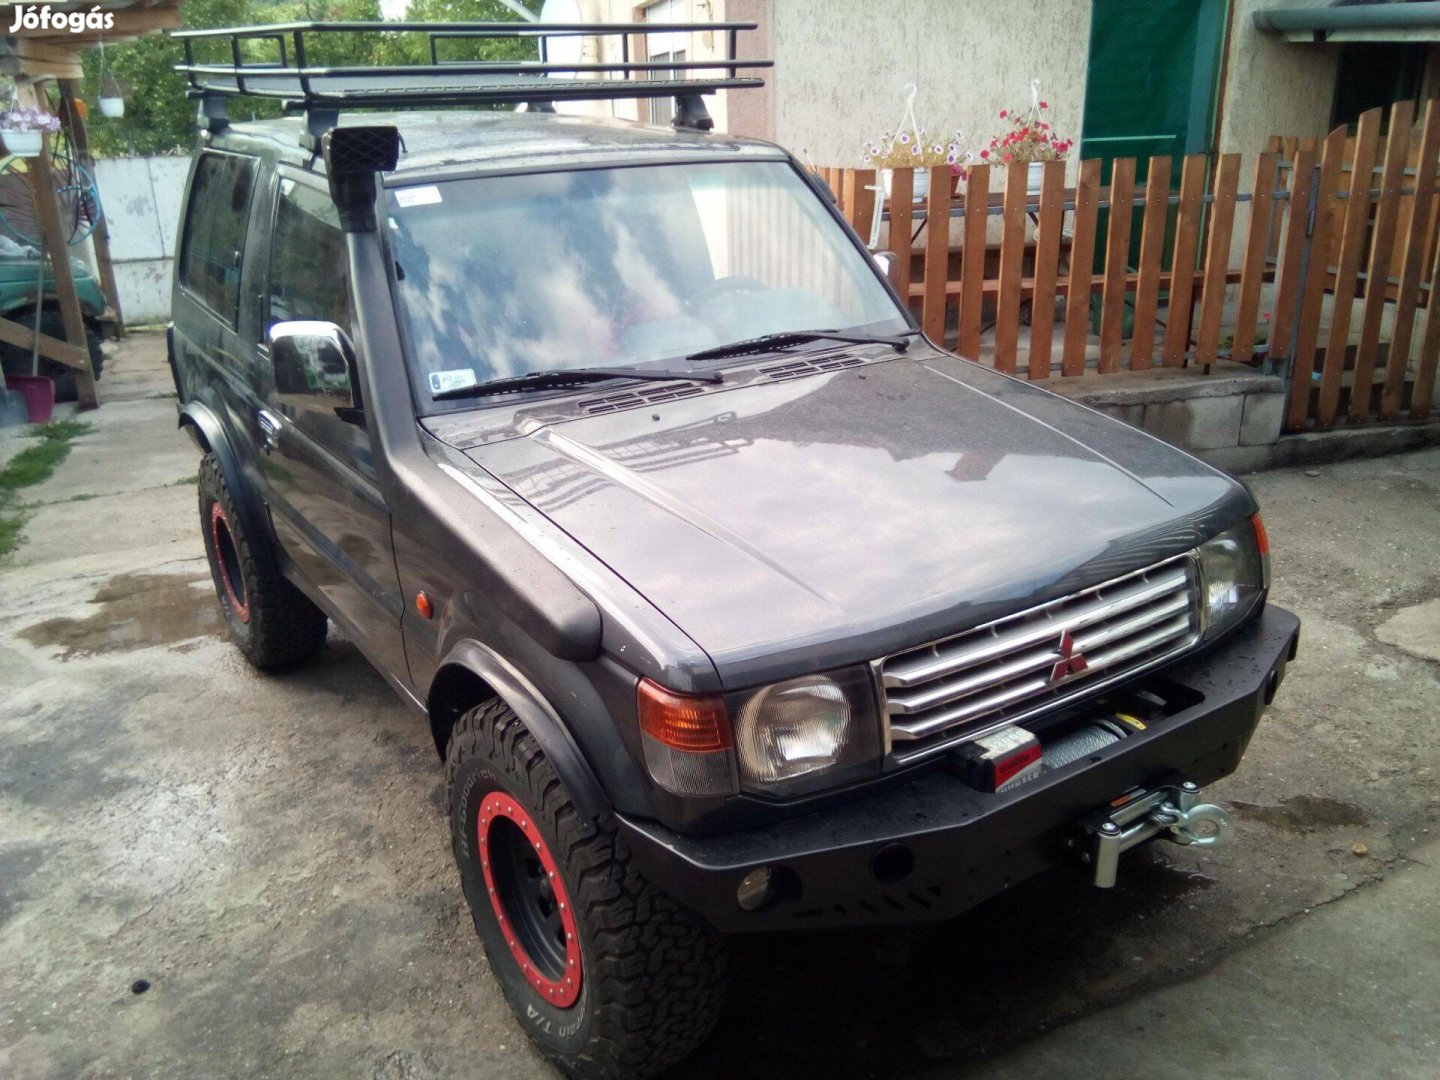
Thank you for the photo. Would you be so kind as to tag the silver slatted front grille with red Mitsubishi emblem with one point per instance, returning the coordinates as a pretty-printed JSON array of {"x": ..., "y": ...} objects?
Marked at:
[{"x": 1019, "y": 666}]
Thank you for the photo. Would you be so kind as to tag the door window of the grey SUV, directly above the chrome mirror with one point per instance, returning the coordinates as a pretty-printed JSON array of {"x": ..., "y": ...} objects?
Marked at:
[{"x": 309, "y": 273}]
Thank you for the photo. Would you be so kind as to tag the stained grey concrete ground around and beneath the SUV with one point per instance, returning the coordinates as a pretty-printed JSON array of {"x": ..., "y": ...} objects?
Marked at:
[{"x": 270, "y": 855}]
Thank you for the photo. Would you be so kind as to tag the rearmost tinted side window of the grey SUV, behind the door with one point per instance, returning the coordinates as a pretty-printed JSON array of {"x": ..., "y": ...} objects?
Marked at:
[{"x": 215, "y": 231}]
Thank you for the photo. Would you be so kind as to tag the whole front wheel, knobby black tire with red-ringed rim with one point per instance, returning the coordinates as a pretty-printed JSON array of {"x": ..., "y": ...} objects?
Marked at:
[{"x": 607, "y": 976}]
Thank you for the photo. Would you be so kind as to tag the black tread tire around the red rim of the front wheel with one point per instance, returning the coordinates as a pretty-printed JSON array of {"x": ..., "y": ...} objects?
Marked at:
[{"x": 652, "y": 973}]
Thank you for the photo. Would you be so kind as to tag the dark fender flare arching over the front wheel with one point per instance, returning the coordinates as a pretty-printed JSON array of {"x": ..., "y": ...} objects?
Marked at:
[{"x": 473, "y": 675}]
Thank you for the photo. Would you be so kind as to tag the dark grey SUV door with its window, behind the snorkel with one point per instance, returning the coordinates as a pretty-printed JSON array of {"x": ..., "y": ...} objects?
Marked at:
[{"x": 326, "y": 503}]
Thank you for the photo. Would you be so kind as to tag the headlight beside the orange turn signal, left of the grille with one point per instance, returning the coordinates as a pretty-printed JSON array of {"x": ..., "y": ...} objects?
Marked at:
[{"x": 809, "y": 732}]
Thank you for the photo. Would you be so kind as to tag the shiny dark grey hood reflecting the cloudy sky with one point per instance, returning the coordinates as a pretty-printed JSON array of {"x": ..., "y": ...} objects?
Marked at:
[{"x": 843, "y": 516}]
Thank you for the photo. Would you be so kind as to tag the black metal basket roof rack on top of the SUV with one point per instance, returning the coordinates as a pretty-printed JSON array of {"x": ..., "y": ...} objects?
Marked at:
[{"x": 286, "y": 70}]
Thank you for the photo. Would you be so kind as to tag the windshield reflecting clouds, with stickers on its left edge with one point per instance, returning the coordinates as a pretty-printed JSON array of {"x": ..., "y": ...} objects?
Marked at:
[{"x": 617, "y": 267}]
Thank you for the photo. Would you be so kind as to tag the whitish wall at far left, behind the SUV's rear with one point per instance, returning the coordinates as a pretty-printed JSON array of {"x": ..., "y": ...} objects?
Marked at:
[{"x": 142, "y": 198}]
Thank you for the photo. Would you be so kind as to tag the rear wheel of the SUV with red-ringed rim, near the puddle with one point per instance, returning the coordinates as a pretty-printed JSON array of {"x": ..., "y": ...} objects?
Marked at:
[{"x": 271, "y": 621}]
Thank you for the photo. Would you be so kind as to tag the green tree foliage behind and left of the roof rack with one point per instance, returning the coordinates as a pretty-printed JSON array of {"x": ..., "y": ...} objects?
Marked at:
[{"x": 161, "y": 119}]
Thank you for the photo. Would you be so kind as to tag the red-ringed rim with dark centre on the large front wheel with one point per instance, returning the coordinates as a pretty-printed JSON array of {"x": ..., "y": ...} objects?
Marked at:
[{"x": 529, "y": 899}]
